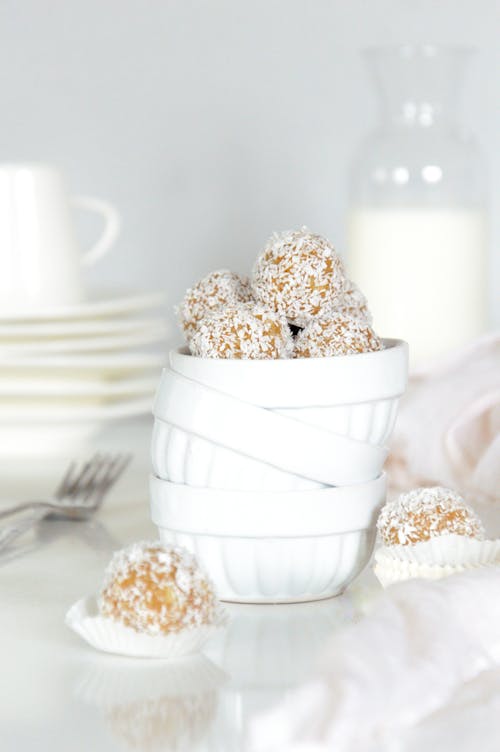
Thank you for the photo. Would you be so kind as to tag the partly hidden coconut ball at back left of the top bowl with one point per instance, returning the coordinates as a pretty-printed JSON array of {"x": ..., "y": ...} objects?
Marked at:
[{"x": 216, "y": 290}]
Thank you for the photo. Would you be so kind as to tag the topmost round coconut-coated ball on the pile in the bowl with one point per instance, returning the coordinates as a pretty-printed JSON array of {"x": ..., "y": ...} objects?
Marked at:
[{"x": 299, "y": 274}]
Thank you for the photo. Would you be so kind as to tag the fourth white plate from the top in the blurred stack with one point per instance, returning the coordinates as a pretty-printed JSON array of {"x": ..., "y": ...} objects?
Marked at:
[{"x": 84, "y": 365}]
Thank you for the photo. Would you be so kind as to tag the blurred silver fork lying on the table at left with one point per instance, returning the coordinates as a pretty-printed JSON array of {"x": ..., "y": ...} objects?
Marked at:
[{"x": 78, "y": 496}]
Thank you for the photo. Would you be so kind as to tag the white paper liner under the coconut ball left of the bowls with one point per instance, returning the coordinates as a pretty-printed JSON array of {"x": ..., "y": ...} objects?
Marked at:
[{"x": 111, "y": 637}]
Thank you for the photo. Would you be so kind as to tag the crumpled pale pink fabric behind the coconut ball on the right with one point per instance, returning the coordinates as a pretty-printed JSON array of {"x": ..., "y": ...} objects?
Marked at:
[{"x": 448, "y": 428}]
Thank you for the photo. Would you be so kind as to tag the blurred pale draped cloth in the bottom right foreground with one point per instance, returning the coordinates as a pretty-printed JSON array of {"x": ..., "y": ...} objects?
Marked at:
[{"x": 397, "y": 666}]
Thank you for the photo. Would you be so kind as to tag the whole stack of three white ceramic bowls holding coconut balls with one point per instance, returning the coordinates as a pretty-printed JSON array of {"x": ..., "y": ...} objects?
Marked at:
[{"x": 270, "y": 471}]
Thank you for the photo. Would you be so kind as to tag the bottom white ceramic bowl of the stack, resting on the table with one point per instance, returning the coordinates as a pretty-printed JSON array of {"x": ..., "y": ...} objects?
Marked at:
[{"x": 272, "y": 547}]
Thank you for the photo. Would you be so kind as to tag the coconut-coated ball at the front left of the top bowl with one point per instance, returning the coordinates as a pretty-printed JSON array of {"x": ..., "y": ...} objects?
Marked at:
[{"x": 244, "y": 332}]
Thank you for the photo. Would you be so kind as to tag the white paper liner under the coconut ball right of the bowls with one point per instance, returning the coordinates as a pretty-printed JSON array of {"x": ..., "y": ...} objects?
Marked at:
[{"x": 435, "y": 558}]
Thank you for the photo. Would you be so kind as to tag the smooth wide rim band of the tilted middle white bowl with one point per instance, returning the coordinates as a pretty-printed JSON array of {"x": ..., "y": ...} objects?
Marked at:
[{"x": 298, "y": 448}]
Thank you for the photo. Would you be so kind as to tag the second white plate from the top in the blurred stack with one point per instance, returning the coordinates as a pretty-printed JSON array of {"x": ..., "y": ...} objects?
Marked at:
[{"x": 34, "y": 329}]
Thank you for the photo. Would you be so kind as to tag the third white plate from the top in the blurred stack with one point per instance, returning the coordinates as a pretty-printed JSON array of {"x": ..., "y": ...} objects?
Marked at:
[{"x": 84, "y": 344}]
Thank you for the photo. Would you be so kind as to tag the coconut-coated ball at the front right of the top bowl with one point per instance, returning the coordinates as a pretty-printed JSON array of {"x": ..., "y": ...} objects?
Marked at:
[{"x": 335, "y": 335}]
